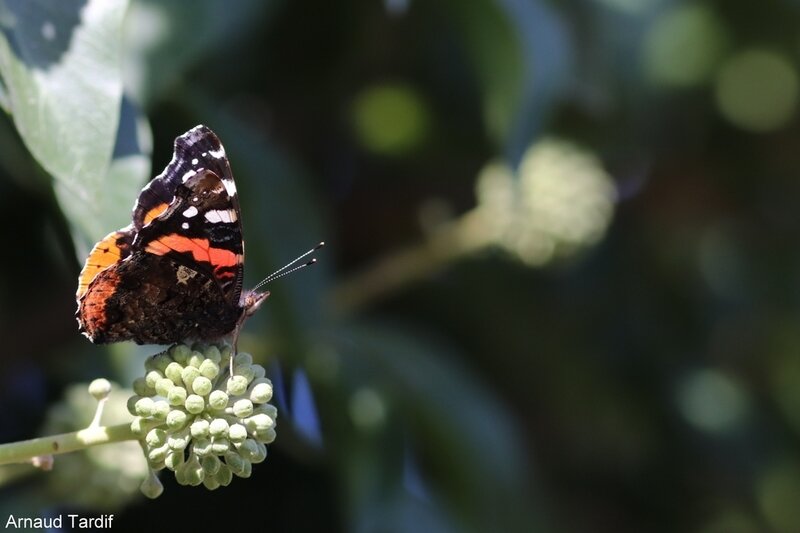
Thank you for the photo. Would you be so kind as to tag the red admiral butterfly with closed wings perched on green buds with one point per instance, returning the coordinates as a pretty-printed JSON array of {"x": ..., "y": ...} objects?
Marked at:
[{"x": 176, "y": 272}]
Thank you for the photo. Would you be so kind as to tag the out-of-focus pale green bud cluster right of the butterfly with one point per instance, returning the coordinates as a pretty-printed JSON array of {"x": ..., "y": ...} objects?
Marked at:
[{"x": 559, "y": 201}]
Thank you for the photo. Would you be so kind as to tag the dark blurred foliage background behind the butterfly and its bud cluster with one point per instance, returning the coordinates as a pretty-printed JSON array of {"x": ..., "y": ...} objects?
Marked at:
[{"x": 561, "y": 286}]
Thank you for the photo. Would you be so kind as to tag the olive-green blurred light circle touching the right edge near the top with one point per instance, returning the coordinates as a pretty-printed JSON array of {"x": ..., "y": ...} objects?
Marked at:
[{"x": 757, "y": 90}]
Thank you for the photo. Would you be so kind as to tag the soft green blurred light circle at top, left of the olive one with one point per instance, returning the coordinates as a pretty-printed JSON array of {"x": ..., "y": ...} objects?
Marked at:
[{"x": 683, "y": 46}]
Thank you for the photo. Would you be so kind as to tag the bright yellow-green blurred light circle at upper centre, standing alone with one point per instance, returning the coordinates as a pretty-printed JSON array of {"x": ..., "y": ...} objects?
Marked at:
[{"x": 390, "y": 119}]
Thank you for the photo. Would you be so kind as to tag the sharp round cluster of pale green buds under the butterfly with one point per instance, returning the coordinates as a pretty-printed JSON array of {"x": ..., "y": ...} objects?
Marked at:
[{"x": 197, "y": 420}]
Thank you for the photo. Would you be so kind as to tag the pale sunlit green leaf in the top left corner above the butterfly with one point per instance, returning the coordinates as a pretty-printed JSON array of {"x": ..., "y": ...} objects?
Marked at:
[{"x": 61, "y": 66}]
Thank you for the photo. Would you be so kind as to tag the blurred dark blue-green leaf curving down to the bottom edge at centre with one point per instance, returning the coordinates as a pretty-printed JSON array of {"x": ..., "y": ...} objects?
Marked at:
[{"x": 456, "y": 424}]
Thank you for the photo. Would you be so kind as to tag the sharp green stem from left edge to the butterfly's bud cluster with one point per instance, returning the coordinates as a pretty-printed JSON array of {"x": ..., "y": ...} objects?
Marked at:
[{"x": 24, "y": 451}]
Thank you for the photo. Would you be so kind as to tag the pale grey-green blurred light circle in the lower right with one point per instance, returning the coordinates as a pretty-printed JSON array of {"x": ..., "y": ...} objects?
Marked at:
[{"x": 711, "y": 401}]
